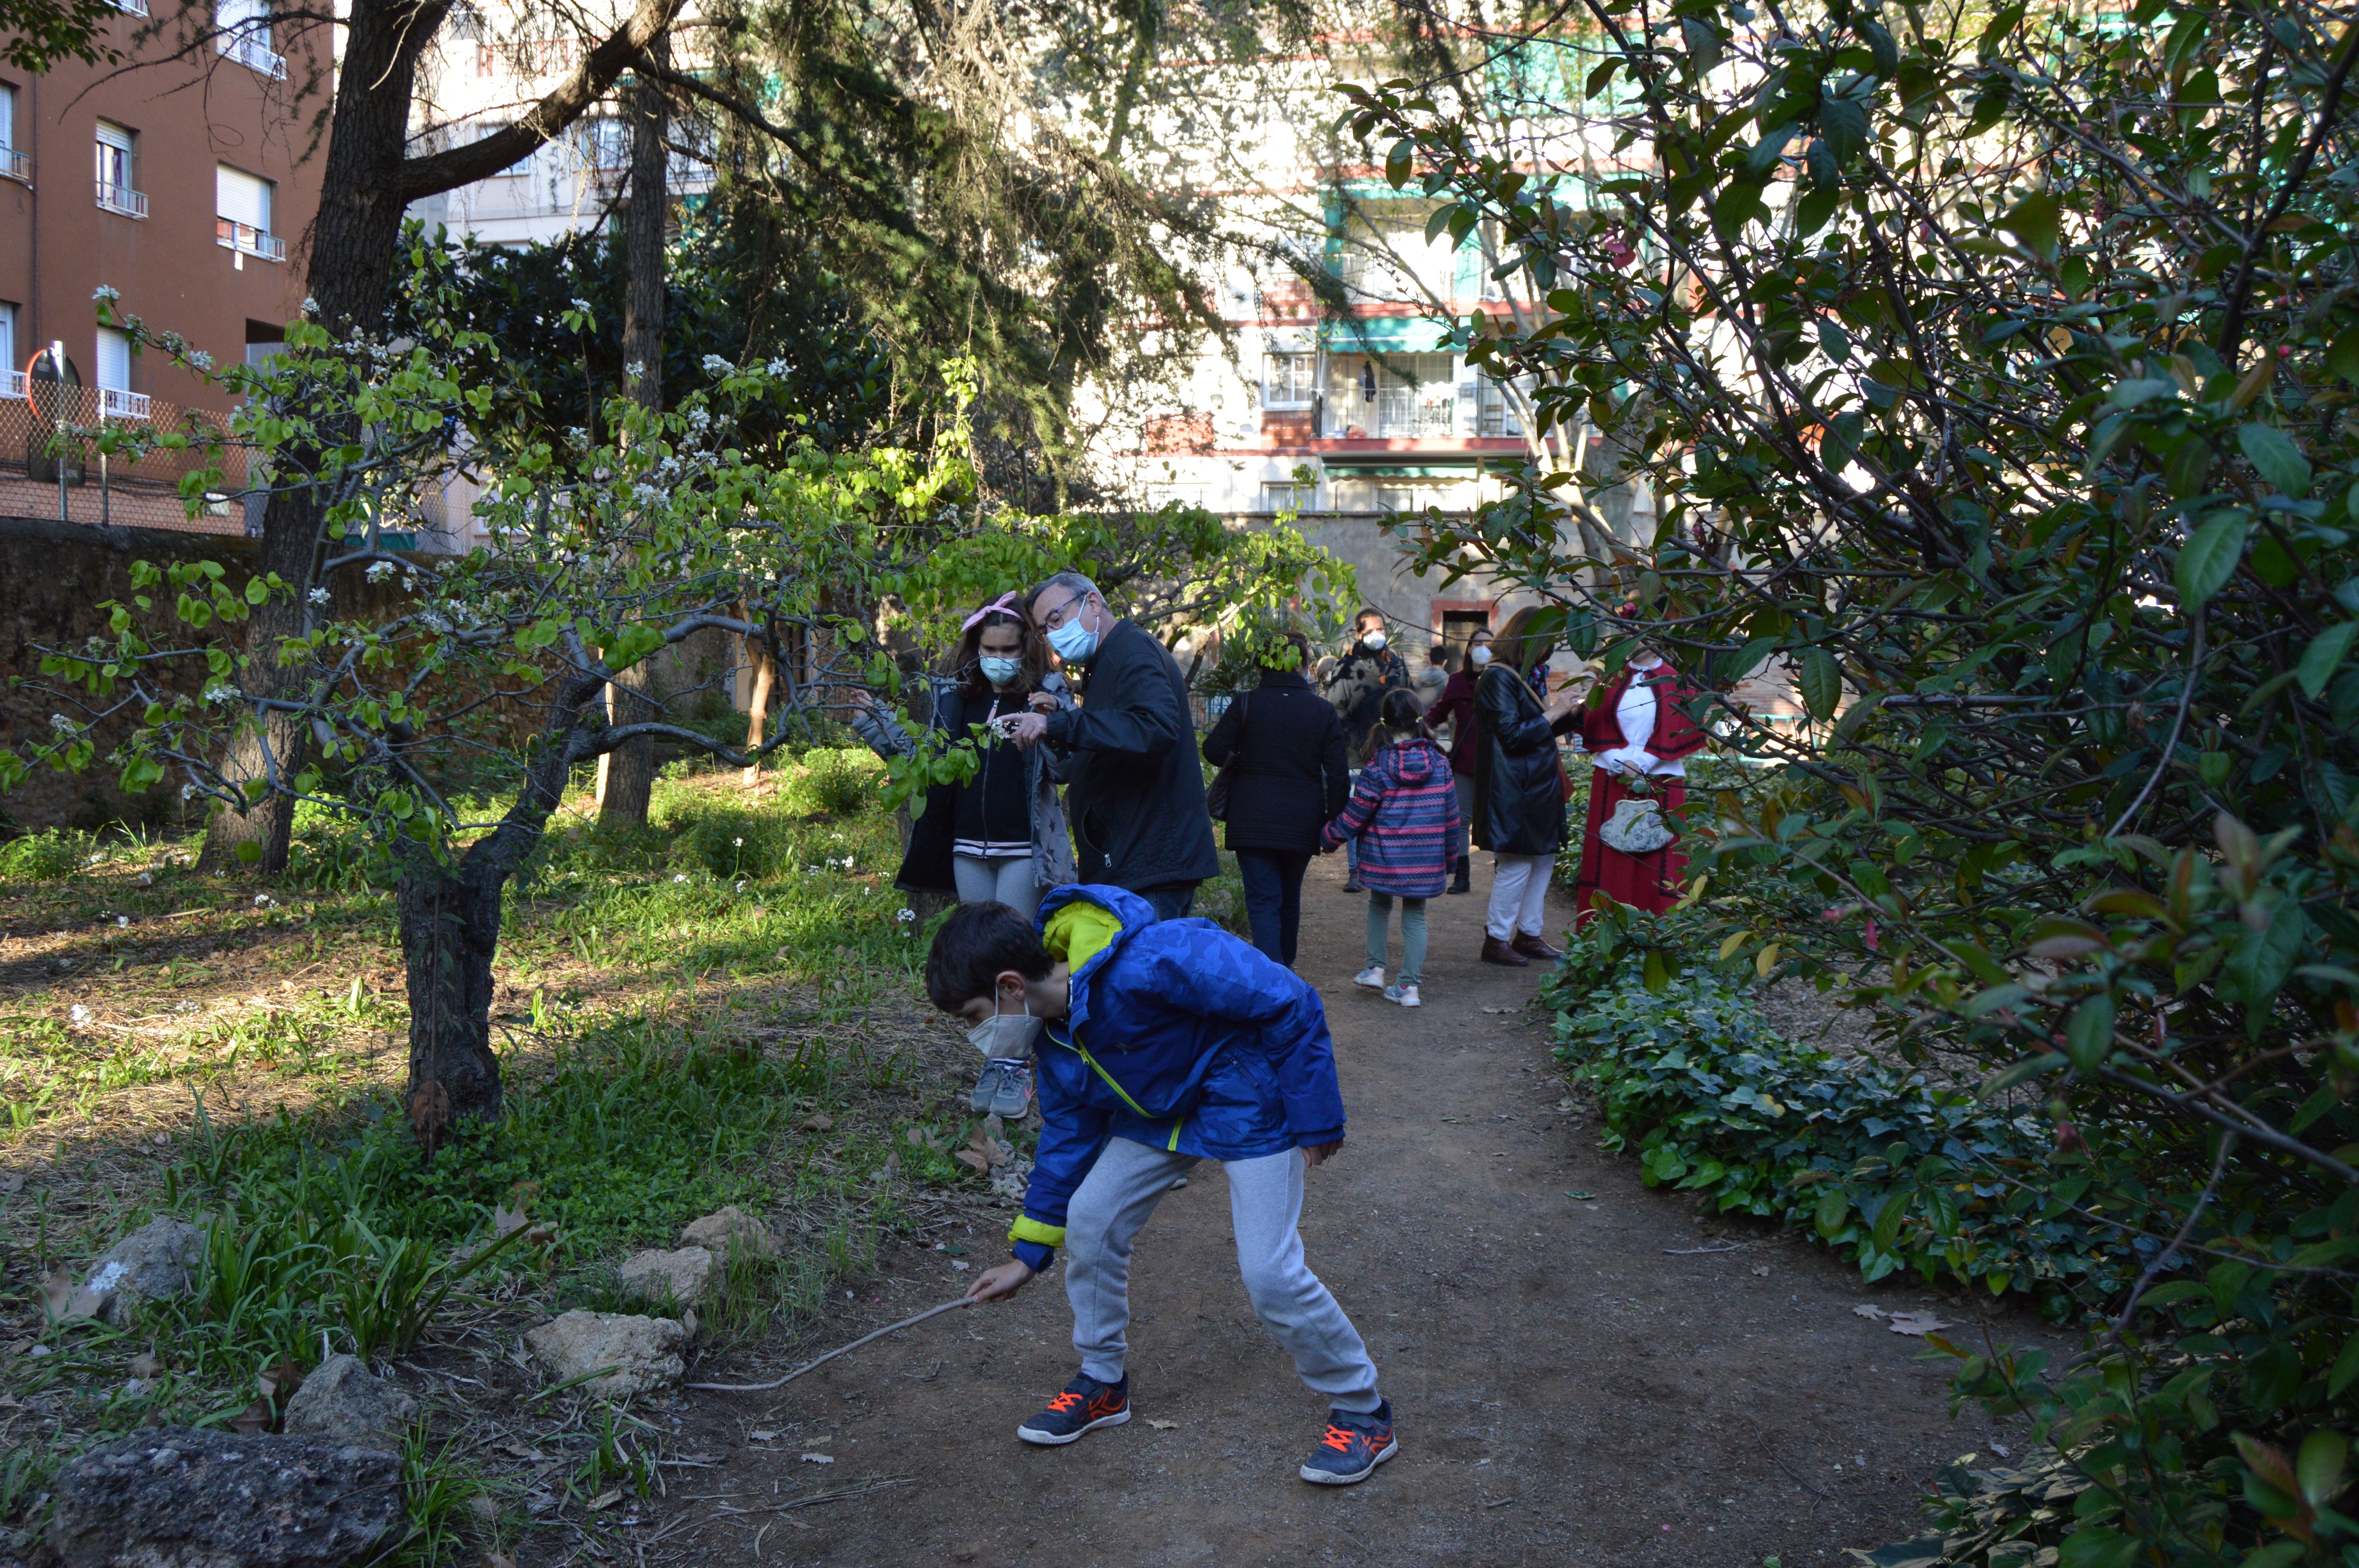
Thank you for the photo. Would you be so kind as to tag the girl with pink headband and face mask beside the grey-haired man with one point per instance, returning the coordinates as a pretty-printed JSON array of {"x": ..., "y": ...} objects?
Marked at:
[{"x": 997, "y": 838}]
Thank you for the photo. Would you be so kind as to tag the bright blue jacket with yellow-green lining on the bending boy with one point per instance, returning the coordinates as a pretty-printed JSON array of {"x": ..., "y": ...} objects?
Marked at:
[{"x": 1178, "y": 1036}]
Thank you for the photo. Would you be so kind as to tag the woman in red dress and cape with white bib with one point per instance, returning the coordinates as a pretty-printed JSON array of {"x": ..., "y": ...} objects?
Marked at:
[{"x": 1638, "y": 734}]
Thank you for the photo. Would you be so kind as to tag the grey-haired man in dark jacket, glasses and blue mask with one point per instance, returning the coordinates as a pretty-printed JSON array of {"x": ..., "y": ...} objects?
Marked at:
[{"x": 1136, "y": 789}]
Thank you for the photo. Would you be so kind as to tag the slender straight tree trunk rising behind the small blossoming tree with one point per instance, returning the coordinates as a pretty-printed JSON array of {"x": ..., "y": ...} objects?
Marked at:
[{"x": 626, "y": 777}]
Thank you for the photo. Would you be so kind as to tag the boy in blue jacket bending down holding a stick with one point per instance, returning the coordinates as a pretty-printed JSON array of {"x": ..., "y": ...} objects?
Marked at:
[{"x": 1159, "y": 1046}]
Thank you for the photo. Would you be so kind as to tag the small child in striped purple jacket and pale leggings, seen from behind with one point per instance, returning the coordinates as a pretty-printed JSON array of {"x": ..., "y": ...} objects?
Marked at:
[{"x": 1405, "y": 812}]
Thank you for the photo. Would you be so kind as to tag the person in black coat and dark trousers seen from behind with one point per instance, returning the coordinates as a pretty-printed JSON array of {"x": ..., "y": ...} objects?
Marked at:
[{"x": 1287, "y": 779}]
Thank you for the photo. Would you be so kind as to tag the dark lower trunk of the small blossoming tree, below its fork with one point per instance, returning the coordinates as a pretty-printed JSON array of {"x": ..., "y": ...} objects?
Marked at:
[{"x": 449, "y": 935}]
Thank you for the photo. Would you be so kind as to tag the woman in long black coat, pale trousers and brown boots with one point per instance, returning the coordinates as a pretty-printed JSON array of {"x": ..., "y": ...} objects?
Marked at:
[{"x": 1520, "y": 791}]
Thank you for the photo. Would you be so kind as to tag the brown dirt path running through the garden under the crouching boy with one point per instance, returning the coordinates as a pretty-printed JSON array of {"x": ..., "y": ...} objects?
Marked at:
[{"x": 1572, "y": 1381}]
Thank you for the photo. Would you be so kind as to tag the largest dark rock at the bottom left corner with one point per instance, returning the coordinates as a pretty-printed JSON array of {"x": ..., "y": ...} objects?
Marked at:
[{"x": 188, "y": 1498}]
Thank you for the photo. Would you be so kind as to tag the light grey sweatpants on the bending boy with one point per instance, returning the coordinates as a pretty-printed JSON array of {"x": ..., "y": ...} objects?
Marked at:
[{"x": 1266, "y": 1206}]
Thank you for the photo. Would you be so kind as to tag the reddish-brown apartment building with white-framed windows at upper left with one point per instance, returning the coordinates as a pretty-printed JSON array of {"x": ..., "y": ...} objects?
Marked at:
[{"x": 176, "y": 178}]
